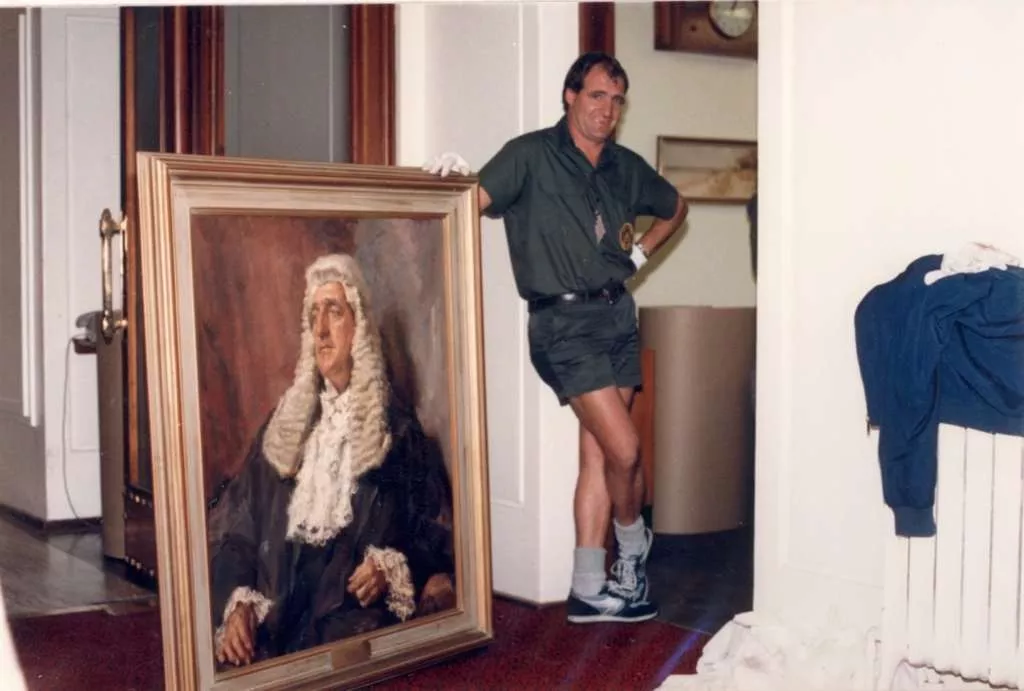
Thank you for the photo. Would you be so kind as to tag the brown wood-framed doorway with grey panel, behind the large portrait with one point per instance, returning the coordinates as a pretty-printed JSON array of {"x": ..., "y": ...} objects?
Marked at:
[{"x": 303, "y": 83}]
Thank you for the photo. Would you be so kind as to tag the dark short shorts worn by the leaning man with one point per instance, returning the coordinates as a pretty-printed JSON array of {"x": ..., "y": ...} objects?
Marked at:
[{"x": 582, "y": 348}]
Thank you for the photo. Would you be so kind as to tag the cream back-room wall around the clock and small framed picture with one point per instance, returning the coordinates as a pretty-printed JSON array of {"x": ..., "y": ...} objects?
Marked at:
[{"x": 693, "y": 96}]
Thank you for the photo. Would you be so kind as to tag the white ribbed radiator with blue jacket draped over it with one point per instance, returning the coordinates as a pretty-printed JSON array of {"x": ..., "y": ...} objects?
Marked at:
[{"x": 954, "y": 602}]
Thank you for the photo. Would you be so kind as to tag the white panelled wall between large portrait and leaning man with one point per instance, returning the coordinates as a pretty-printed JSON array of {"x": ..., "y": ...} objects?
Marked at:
[{"x": 472, "y": 77}]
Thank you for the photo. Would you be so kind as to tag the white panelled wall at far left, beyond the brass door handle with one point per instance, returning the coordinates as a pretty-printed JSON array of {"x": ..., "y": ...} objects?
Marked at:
[{"x": 61, "y": 166}]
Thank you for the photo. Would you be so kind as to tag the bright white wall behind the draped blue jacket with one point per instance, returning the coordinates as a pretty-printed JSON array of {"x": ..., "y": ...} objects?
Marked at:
[{"x": 887, "y": 132}]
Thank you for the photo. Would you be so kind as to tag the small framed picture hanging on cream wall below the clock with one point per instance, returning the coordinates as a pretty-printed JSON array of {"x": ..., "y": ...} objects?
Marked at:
[{"x": 710, "y": 170}]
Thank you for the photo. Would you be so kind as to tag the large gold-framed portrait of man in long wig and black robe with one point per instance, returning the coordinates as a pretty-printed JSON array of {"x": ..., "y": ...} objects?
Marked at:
[{"x": 314, "y": 344}]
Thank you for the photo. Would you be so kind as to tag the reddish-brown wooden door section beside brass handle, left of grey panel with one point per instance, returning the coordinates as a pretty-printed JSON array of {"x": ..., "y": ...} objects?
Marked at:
[{"x": 172, "y": 102}]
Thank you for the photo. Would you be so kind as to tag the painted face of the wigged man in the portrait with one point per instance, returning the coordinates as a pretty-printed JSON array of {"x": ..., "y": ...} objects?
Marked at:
[{"x": 333, "y": 325}]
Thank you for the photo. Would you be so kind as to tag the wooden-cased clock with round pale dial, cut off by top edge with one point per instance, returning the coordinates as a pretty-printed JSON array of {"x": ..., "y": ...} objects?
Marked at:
[{"x": 721, "y": 28}]
